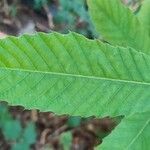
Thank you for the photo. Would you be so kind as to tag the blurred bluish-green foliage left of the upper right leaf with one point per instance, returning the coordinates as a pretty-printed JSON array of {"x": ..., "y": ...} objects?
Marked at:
[{"x": 73, "y": 15}]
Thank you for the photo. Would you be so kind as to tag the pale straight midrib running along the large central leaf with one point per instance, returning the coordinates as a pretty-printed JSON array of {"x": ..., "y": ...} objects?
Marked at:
[{"x": 78, "y": 76}]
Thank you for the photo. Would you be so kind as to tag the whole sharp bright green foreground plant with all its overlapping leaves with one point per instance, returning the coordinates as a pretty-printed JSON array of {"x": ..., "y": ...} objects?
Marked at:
[{"x": 69, "y": 74}]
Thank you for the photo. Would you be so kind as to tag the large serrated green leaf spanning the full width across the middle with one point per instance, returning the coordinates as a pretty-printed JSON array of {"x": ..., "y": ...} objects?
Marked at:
[{"x": 69, "y": 74}]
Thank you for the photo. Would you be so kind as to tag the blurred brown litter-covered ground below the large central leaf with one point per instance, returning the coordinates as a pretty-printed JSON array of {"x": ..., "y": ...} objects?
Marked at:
[{"x": 86, "y": 132}]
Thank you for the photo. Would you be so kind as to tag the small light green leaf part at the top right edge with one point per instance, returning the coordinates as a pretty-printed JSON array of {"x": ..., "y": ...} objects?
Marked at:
[{"x": 144, "y": 14}]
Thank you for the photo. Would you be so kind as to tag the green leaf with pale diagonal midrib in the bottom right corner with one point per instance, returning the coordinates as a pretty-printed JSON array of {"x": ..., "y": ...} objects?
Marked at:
[{"x": 131, "y": 134}]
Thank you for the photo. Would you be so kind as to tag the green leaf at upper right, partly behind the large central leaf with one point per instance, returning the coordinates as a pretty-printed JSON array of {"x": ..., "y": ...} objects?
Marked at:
[{"x": 118, "y": 25}]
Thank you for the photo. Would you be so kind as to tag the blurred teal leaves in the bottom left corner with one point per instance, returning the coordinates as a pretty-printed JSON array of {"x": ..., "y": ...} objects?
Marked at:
[{"x": 19, "y": 137}]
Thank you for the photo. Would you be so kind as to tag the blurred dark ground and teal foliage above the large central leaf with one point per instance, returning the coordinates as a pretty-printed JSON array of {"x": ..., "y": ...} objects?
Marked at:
[{"x": 28, "y": 16}]
